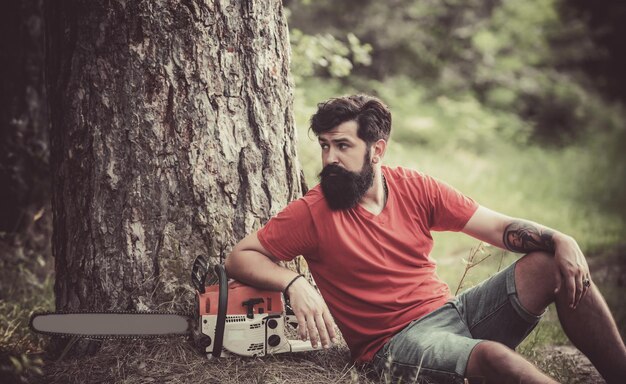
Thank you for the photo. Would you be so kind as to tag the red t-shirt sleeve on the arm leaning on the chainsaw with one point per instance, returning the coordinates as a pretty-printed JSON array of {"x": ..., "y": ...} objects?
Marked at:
[{"x": 290, "y": 233}]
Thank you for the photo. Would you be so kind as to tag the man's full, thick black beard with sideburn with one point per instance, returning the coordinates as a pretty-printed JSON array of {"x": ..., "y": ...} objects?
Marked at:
[{"x": 344, "y": 189}]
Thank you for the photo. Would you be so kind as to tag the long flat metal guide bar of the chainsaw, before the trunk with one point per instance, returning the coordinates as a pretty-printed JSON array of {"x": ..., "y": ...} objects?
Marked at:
[{"x": 112, "y": 324}]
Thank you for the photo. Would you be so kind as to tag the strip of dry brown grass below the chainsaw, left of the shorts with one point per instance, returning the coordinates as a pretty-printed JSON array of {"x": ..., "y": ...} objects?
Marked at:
[{"x": 177, "y": 361}]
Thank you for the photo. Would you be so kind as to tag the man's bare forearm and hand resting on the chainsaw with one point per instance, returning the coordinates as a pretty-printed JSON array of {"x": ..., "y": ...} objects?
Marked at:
[{"x": 251, "y": 263}]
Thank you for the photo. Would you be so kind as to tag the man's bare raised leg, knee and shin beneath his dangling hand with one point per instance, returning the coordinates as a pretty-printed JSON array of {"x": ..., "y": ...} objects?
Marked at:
[{"x": 590, "y": 326}]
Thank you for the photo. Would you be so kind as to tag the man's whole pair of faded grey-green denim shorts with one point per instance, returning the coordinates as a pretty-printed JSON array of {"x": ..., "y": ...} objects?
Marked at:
[{"x": 436, "y": 347}]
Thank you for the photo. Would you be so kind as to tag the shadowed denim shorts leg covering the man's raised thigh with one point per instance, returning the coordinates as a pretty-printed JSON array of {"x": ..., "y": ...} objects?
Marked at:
[{"x": 492, "y": 310}]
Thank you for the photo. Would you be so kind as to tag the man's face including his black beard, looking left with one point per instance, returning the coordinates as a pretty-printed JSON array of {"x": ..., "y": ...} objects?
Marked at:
[{"x": 348, "y": 171}]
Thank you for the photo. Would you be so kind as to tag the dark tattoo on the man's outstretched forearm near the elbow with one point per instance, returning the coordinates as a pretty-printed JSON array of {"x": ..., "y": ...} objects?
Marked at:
[{"x": 523, "y": 237}]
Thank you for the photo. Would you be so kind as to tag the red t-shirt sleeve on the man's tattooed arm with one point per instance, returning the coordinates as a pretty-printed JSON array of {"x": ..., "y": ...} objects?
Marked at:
[{"x": 450, "y": 209}]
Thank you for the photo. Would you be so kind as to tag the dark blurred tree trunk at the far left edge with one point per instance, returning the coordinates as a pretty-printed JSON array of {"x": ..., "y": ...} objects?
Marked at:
[{"x": 24, "y": 148}]
